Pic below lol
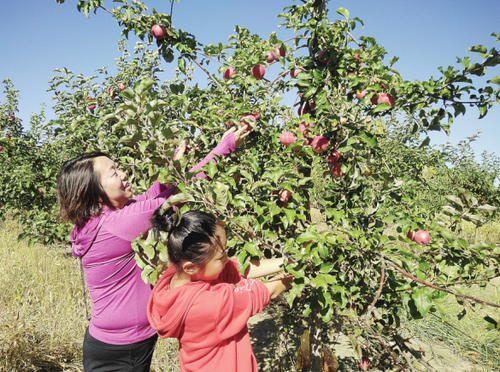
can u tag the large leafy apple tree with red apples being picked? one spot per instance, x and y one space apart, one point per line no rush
347 243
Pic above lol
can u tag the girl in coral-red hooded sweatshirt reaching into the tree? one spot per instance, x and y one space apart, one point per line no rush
196 300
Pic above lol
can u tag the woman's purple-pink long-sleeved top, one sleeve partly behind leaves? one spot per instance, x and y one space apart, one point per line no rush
119 296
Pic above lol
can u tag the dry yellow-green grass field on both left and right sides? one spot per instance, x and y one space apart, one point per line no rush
43 320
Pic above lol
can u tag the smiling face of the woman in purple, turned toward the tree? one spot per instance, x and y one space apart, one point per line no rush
113 181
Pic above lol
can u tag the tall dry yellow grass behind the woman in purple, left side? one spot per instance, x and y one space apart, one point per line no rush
42 317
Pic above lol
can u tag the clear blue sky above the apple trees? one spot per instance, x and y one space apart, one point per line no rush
37 36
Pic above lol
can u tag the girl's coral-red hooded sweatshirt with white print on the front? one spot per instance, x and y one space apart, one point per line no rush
209 319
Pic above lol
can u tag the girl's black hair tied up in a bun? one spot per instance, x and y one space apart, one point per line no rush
190 239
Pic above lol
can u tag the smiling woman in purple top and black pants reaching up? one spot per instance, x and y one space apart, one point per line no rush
95 195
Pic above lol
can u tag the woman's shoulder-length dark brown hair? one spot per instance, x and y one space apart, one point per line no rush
79 192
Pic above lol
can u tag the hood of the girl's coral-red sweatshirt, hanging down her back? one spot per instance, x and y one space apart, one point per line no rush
167 308
